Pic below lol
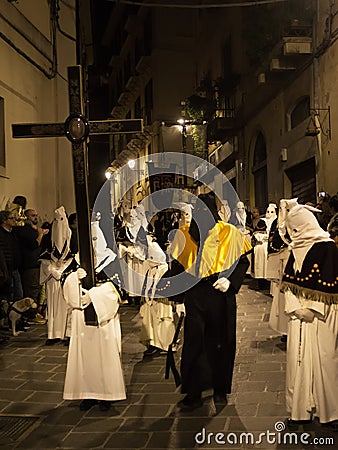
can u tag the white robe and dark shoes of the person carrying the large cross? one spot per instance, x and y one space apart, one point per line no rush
94 371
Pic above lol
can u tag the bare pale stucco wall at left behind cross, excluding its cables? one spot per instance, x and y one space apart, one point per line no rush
40 169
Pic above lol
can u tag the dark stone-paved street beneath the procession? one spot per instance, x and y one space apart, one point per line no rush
34 415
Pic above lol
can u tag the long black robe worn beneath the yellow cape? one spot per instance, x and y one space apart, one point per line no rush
209 347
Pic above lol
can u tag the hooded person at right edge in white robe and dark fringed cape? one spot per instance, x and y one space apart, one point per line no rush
310 283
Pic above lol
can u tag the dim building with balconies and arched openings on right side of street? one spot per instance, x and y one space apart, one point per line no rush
271 74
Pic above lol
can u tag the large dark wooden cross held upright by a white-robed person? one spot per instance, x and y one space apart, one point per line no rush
77 128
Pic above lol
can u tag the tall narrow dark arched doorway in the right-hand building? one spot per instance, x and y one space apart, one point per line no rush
259 172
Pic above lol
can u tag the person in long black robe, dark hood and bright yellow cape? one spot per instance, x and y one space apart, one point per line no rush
213 253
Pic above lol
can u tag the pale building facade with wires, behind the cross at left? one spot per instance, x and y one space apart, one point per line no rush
37 43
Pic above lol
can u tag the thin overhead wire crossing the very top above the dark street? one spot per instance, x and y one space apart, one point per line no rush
199 6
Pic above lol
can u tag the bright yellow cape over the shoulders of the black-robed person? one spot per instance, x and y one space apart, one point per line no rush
222 248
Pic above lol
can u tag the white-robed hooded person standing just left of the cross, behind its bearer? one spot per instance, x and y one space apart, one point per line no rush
51 271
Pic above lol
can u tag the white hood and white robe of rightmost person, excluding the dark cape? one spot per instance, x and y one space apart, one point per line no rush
312 352
